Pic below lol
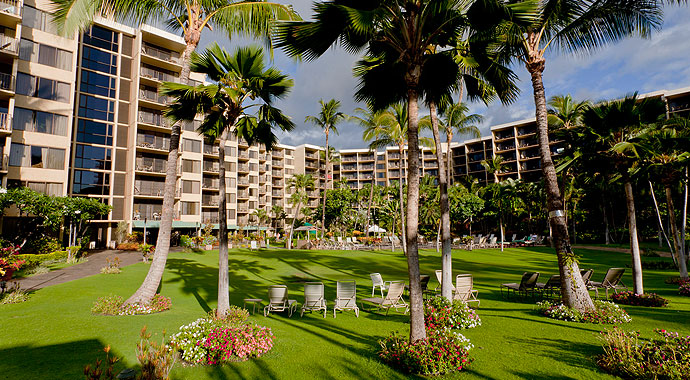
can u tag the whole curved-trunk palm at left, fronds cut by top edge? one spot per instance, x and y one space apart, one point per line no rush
190 17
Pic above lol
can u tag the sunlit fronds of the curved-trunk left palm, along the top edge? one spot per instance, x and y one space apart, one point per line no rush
251 18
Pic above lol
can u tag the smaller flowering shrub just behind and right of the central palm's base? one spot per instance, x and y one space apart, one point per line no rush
440 313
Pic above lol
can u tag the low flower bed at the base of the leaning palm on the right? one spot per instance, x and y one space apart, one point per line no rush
604 313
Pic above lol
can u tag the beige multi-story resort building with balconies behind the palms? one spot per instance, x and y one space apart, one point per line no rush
83 117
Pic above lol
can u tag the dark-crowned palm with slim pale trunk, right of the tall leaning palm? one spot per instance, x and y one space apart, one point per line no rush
608 129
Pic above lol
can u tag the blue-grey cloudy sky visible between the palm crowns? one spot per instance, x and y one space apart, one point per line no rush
635 64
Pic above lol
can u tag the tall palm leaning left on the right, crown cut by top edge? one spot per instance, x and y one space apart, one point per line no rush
574 26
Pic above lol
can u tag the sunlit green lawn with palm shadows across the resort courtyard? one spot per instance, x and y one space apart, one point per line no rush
54 335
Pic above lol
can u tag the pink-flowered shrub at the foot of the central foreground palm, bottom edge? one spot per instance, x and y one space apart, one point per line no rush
441 352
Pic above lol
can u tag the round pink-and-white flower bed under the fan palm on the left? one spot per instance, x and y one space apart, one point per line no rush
213 341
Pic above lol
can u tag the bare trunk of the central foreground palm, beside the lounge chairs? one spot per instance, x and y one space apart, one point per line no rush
417 328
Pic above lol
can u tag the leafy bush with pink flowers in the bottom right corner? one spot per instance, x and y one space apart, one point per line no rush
628 356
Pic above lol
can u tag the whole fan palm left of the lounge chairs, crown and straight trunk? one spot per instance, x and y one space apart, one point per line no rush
240 82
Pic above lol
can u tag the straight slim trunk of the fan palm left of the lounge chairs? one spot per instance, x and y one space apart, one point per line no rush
223 280
